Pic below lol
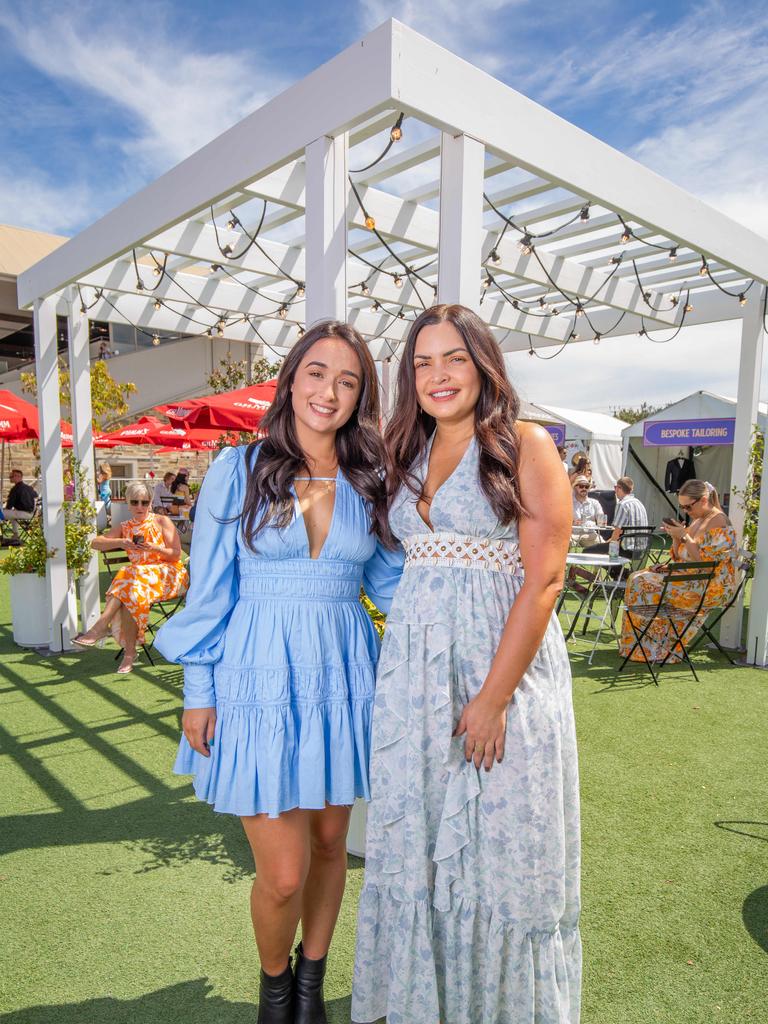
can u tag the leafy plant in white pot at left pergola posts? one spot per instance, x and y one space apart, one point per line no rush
26 567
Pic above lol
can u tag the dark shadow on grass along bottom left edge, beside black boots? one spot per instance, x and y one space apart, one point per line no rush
189 1002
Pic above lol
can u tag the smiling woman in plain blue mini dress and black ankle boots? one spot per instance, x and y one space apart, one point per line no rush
280 655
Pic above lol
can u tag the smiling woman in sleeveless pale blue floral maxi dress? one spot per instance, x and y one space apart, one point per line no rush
471 905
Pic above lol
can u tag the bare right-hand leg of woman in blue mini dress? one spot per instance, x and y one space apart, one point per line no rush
324 889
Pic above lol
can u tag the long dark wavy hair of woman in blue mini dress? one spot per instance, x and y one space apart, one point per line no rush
273 463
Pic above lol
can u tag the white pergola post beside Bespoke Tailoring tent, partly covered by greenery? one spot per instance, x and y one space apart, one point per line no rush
750 371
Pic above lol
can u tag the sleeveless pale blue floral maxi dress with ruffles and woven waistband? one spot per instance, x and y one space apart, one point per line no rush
471 904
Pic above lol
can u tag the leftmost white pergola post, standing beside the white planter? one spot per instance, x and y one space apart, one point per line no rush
47 368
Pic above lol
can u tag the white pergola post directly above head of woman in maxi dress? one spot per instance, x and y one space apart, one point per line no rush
462 175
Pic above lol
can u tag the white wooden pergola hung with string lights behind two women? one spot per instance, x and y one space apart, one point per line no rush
488 199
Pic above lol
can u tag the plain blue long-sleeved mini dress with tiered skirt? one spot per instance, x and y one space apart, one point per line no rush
281 646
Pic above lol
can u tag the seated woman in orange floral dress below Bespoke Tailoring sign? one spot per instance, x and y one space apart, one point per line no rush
710 538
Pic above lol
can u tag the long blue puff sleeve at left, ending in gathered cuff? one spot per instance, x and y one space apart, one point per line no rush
195 636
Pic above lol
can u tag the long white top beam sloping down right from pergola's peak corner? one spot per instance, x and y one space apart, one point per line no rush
441 89
